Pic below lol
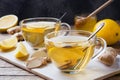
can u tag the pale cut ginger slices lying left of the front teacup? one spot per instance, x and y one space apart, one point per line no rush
38 59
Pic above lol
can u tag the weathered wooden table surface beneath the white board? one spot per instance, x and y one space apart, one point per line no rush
11 72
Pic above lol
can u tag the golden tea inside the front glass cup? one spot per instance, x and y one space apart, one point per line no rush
67 51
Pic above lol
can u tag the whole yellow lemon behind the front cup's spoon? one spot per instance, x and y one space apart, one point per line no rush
110 31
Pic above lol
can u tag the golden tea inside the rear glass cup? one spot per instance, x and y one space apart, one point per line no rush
34 32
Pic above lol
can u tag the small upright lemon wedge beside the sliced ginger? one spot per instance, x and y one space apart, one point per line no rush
21 52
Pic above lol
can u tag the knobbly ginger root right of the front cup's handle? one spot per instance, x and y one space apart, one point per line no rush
108 57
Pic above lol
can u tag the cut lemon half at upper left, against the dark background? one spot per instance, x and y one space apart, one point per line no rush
8 21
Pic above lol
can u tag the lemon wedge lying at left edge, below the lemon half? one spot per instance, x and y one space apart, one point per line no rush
8 43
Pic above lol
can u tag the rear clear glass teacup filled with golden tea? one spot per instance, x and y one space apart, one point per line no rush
34 29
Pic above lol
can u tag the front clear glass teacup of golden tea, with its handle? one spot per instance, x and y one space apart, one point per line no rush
70 50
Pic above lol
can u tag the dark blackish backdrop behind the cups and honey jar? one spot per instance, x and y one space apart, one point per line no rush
56 8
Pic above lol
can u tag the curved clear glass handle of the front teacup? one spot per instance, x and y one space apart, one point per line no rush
102 43
